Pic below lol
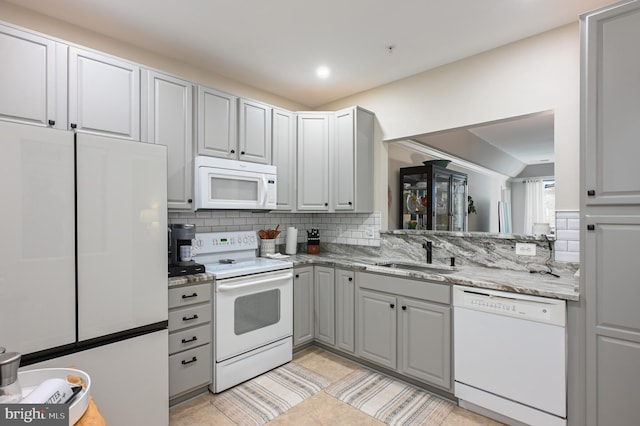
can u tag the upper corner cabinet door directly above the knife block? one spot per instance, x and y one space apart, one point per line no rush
313 162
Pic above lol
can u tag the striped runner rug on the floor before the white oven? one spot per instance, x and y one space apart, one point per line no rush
265 397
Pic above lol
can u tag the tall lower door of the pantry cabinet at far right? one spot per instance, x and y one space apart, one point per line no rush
613 323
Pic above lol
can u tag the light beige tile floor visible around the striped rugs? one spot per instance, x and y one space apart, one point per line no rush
320 409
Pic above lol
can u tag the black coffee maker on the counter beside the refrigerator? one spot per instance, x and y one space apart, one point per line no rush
181 238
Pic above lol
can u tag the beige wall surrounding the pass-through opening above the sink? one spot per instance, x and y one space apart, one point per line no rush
536 74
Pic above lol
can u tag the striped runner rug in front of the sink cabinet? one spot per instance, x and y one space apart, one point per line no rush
389 400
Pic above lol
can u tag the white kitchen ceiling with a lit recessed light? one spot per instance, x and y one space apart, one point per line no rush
275 45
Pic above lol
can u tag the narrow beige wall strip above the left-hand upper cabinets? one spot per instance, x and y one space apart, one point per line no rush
69 33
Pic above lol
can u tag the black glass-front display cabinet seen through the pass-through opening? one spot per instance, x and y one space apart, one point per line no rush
433 198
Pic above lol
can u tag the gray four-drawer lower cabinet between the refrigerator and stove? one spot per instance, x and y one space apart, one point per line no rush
189 339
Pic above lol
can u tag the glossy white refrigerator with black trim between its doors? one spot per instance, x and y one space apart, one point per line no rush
83 273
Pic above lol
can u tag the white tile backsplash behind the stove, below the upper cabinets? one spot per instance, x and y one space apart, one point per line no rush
361 229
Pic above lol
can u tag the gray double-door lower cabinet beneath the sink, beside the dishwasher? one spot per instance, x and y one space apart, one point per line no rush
405 325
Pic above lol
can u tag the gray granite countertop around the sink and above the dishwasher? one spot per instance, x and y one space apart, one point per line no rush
565 287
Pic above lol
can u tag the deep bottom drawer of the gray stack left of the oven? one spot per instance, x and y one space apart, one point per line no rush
190 369
